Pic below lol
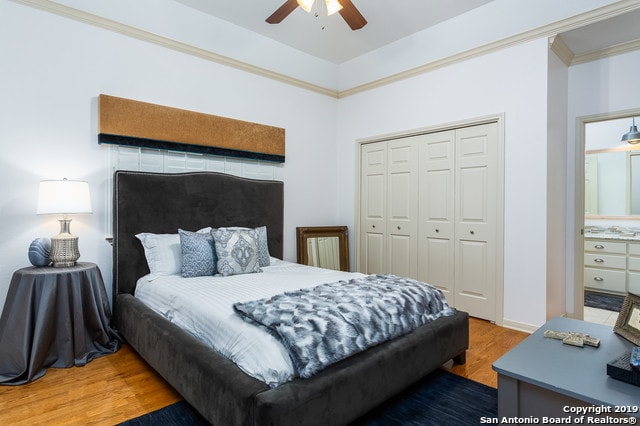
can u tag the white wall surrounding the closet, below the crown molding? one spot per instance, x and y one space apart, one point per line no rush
512 81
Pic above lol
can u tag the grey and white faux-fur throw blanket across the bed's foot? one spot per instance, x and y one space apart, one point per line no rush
324 324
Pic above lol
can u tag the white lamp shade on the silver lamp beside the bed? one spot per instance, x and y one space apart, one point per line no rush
64 197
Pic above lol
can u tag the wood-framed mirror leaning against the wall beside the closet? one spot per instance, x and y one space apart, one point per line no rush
323 246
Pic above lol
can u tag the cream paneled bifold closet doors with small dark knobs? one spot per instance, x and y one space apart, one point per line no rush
430 209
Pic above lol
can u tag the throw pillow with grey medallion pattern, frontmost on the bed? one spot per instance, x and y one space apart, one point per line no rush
237 251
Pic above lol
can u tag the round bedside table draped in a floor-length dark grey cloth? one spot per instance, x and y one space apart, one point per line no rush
54 317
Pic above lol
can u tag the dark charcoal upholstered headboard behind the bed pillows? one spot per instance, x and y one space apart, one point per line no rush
164 202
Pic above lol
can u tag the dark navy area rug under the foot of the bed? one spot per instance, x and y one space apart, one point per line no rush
441 398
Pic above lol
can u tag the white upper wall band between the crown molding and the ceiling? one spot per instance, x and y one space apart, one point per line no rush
490 23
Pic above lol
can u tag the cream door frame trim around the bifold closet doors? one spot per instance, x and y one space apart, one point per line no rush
499 119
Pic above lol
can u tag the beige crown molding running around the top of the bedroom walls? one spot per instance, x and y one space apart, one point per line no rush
550 31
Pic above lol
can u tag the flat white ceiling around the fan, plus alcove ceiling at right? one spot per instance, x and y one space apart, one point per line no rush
329 37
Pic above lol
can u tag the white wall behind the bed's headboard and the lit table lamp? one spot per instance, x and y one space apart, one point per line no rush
53 69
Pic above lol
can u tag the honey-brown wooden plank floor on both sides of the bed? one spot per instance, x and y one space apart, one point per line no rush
121 386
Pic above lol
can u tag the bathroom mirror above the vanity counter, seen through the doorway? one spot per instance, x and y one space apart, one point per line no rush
612 172
